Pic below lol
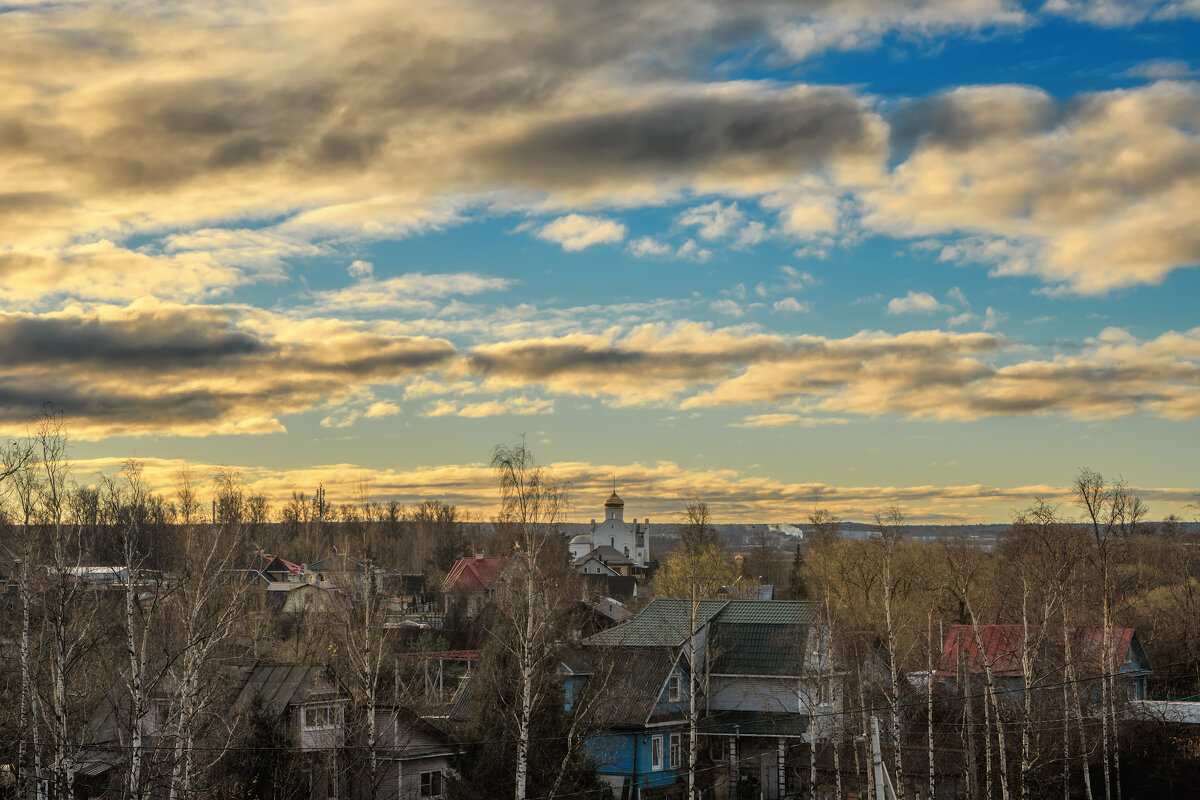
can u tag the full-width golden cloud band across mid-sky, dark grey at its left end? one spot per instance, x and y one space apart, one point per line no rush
155 368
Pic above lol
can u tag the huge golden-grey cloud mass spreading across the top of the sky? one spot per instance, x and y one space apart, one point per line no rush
369 121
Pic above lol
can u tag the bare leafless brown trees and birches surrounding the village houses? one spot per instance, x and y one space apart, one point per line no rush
181 621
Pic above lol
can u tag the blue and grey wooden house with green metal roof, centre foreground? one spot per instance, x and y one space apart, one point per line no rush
759 681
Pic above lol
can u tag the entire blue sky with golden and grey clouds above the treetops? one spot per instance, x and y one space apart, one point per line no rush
776 256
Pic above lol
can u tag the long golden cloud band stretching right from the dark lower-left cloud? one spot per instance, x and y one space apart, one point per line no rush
933 375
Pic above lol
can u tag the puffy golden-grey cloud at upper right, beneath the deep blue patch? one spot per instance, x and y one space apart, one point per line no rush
1102 194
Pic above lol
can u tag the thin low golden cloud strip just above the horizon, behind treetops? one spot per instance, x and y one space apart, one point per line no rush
656 490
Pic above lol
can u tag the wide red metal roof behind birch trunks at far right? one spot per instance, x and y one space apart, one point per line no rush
1001 646
